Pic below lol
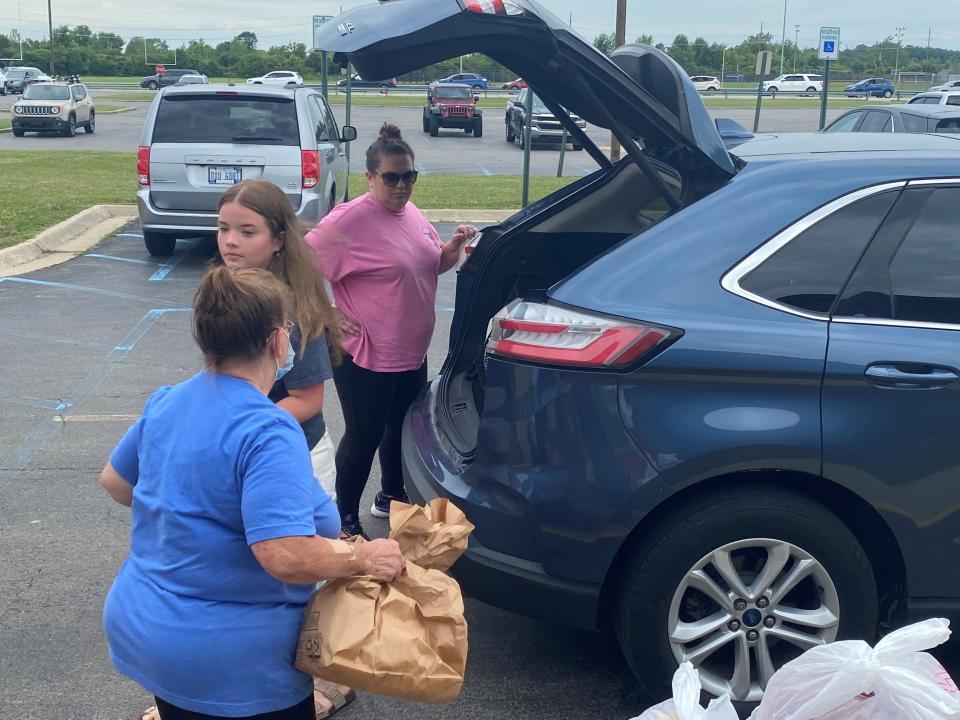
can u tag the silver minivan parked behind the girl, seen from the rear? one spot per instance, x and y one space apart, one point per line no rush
198 140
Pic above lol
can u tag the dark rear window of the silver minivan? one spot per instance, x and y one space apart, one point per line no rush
226 119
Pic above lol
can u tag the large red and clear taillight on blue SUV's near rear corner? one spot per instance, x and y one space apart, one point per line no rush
558 336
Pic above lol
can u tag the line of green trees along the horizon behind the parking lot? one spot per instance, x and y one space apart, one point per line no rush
80 50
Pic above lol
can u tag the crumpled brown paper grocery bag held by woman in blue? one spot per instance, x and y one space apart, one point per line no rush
407 638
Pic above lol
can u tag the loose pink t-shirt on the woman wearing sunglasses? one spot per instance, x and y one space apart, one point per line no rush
383 269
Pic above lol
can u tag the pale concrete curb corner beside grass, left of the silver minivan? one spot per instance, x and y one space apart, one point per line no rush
66 239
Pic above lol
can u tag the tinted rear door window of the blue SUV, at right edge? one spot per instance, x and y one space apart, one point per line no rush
925 272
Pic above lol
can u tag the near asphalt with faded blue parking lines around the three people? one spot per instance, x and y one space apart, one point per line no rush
86 343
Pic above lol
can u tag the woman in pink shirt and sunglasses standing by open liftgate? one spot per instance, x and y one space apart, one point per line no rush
382 258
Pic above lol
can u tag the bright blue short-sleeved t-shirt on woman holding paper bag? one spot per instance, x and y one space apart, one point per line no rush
192 616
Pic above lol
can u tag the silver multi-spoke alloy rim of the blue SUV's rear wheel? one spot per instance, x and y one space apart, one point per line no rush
747 608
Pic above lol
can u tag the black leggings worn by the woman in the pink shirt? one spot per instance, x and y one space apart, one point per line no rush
374 405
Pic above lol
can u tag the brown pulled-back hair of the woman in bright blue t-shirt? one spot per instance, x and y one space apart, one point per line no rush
234 313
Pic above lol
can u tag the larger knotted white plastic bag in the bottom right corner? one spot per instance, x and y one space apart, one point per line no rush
849 680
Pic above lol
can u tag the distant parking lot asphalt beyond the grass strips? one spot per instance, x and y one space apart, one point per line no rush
453 152
